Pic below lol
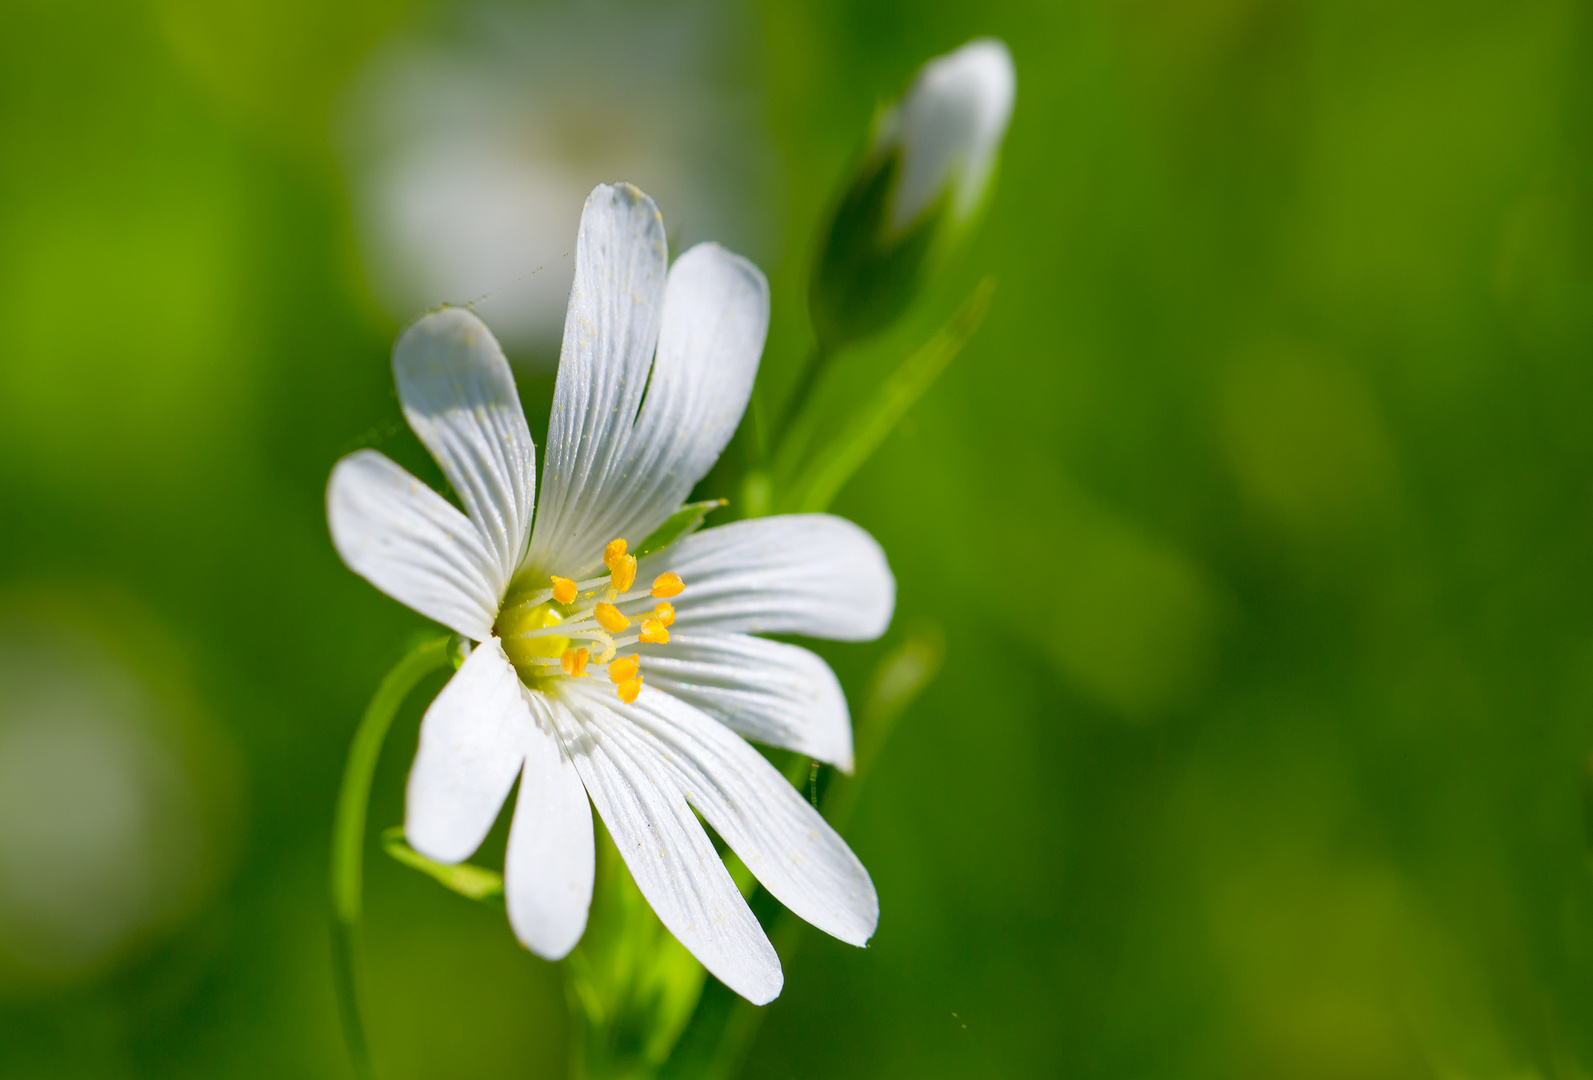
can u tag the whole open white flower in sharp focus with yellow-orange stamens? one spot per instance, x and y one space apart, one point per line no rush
598 675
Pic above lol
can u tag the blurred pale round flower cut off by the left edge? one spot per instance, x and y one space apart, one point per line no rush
106 831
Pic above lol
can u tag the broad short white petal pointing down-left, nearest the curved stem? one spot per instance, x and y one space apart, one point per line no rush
472 746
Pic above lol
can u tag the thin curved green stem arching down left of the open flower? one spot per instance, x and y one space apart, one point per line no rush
348 837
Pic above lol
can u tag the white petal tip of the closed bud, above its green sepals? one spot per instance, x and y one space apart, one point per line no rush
949 128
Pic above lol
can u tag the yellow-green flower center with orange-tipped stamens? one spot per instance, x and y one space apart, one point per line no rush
566 630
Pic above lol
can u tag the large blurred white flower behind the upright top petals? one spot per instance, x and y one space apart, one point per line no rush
471 157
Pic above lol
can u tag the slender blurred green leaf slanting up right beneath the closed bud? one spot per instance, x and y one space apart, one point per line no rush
828 472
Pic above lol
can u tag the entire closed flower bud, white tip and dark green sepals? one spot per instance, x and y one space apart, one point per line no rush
920 187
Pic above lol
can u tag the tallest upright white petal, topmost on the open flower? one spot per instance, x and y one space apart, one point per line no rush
609 337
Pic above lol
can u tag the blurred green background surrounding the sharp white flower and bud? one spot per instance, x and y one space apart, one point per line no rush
1258 518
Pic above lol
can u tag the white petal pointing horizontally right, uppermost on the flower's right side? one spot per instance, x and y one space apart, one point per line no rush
794 574
